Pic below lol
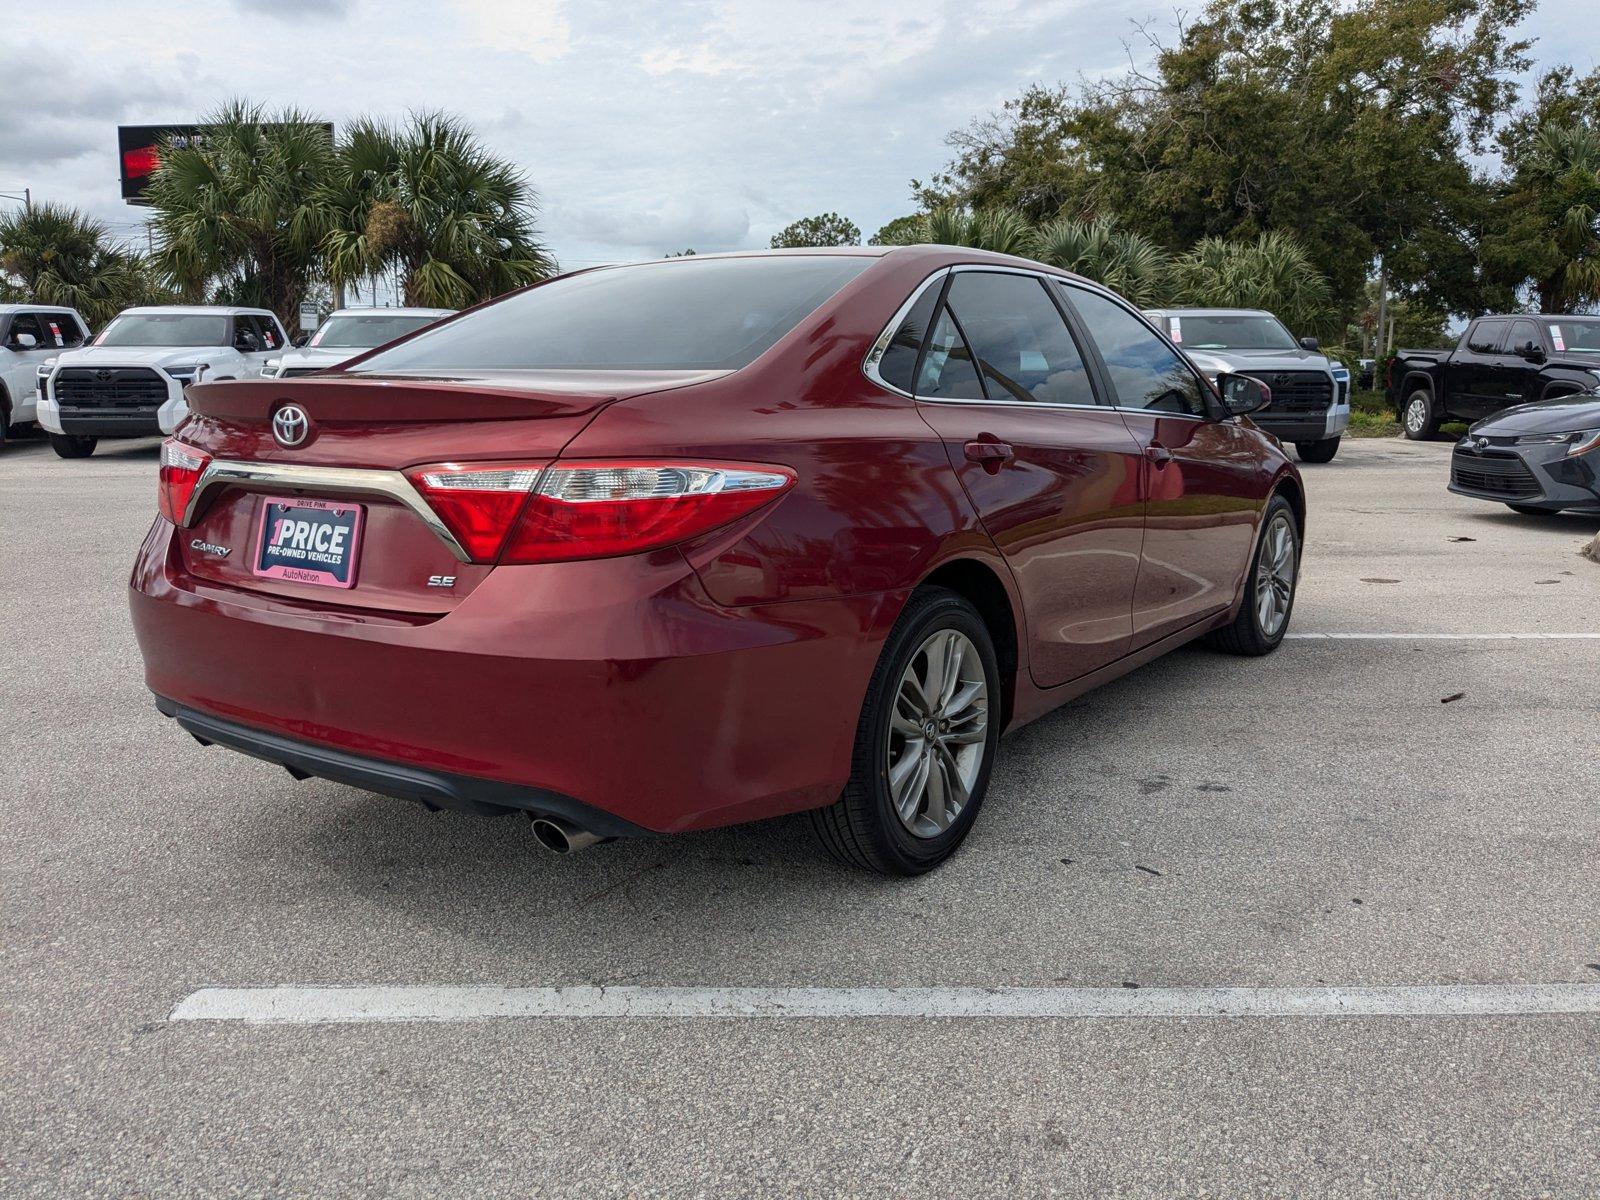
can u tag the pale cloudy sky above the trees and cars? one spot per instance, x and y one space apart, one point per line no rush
646 127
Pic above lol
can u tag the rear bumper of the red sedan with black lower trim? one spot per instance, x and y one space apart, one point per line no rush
615 684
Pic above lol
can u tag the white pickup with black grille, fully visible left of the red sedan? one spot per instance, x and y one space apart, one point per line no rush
130 380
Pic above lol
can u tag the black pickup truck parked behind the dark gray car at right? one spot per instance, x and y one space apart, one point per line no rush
1498 364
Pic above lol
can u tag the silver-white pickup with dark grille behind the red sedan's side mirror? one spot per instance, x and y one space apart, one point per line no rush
1311 393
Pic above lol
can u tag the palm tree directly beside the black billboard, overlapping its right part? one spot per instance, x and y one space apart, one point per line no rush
236 210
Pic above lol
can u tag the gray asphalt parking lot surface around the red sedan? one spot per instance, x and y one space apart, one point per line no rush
1313 820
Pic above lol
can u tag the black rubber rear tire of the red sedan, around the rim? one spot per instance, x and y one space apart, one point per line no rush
863 828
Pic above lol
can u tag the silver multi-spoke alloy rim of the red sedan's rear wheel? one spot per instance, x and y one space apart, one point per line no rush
938 734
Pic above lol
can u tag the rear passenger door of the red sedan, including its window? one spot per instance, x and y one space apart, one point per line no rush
1054 474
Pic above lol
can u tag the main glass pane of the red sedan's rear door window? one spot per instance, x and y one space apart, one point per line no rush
1020 340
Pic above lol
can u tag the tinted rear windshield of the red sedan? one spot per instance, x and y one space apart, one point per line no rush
716 314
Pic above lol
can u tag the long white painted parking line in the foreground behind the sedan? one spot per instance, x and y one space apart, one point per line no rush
362 1006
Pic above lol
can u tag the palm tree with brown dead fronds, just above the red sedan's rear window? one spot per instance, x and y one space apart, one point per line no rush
434 206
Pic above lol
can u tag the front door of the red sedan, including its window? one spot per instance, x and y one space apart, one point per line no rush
1204 474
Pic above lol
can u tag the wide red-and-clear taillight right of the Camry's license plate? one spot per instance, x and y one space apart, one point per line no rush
522 513
